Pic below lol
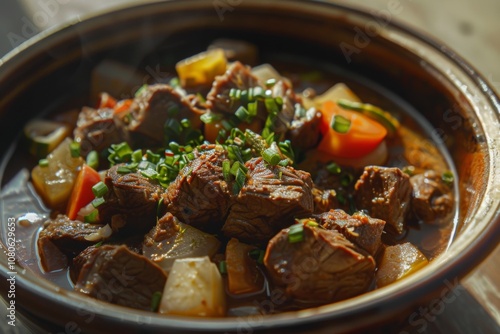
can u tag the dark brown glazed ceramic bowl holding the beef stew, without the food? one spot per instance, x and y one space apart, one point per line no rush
381 57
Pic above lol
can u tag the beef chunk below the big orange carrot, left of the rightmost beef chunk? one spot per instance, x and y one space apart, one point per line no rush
385 192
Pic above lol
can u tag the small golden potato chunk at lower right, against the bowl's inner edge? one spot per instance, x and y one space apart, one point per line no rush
399 261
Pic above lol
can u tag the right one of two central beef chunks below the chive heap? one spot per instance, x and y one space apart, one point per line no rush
270 198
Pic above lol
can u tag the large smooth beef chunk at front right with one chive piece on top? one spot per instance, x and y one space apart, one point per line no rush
321 268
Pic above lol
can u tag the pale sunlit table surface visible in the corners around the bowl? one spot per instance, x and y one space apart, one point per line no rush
469 27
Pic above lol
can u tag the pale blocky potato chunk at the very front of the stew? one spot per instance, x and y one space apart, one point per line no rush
194 288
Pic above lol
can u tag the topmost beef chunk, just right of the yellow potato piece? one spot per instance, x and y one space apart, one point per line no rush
237 76
